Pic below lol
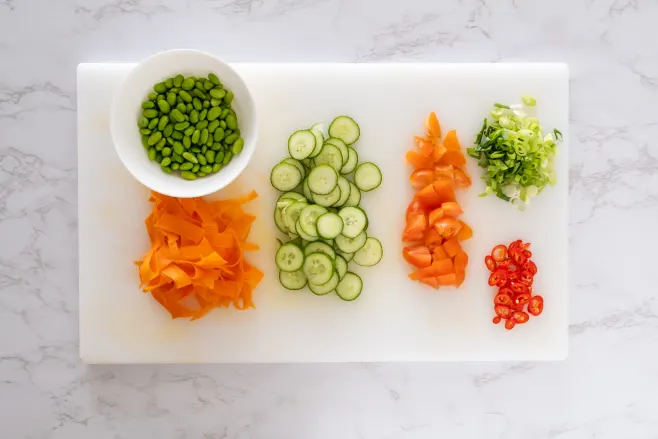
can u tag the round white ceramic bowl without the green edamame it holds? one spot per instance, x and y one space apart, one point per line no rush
126 110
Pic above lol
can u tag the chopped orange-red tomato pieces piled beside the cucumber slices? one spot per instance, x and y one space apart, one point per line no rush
432 225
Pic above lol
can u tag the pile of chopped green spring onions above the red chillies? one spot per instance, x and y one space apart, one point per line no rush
514 152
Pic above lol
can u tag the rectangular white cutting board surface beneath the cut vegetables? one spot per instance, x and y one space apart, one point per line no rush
394 319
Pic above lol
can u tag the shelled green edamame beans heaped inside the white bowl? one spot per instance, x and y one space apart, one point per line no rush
188 125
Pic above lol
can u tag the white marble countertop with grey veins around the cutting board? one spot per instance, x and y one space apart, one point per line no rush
607 387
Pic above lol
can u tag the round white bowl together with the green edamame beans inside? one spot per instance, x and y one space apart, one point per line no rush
184 123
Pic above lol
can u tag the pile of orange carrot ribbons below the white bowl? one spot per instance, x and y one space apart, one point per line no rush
196 261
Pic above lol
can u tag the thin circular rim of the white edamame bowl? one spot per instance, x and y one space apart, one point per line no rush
245 97
